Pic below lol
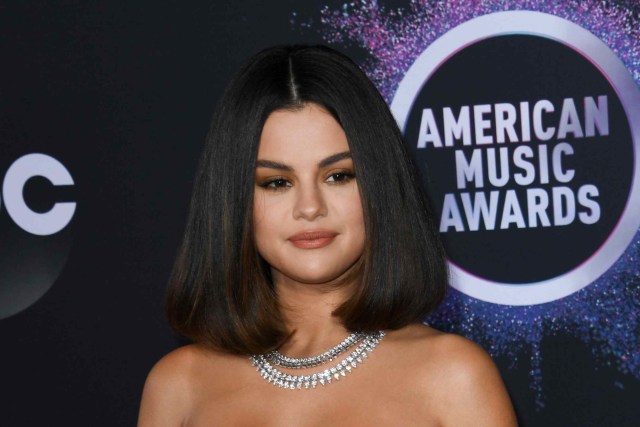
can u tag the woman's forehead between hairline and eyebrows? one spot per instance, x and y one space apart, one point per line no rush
296 136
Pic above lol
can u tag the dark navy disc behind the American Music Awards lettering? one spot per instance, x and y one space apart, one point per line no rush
512 69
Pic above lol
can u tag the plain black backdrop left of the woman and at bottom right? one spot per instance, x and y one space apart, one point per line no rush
122 93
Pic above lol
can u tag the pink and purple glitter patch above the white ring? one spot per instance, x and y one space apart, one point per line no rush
394 38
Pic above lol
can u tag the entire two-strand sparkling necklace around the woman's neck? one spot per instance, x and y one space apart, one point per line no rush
266 363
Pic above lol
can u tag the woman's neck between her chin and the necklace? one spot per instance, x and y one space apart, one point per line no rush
307 312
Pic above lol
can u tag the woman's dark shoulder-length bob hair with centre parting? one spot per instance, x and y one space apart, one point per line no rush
220 291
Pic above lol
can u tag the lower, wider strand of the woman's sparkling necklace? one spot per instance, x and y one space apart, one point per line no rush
280 379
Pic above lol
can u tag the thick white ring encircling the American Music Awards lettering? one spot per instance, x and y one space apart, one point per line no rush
596 51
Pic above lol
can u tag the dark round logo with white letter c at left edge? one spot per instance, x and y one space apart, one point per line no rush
30 260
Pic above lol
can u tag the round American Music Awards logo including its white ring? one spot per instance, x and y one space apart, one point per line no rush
526 129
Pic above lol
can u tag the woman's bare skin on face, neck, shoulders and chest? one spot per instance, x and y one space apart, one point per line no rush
416 375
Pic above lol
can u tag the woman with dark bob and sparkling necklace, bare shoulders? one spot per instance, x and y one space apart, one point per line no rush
308 229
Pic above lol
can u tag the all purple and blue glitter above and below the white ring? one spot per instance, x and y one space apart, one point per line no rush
603 315
